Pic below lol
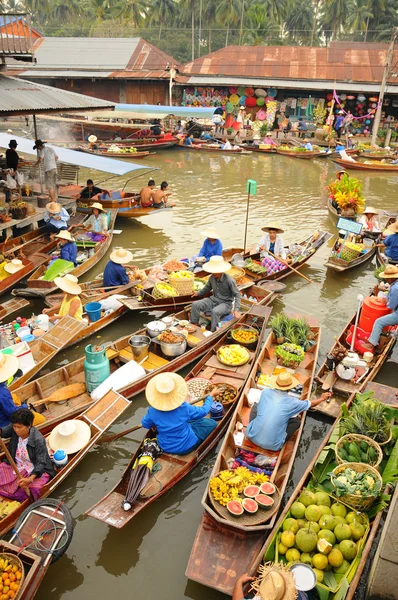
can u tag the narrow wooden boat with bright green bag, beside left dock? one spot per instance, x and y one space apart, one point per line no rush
35 286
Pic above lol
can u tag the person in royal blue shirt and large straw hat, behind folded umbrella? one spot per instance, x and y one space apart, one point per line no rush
180 426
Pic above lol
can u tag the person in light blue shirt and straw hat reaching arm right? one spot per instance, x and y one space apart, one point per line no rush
273 420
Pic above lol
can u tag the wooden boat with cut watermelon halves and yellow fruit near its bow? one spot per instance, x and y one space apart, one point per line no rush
225 544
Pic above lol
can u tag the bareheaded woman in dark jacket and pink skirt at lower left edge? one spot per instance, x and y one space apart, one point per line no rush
28 449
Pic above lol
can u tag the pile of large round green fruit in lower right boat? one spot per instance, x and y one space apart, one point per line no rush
321 534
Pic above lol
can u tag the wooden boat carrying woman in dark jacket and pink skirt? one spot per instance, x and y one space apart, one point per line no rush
100 416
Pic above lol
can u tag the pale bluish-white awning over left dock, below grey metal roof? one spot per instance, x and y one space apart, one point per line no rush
73 157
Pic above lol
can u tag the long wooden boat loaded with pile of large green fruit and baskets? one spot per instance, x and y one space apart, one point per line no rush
325 454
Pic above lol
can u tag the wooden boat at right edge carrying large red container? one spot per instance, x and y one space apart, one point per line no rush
342 388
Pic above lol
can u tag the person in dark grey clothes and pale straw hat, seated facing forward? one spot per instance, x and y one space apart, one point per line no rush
225 293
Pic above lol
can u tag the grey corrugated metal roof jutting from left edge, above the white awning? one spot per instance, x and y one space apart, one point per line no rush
19 96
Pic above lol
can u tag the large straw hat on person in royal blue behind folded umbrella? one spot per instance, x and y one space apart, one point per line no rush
166 391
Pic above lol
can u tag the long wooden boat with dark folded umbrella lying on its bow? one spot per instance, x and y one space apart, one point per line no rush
173 468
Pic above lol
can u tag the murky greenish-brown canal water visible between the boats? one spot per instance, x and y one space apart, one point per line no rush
149 556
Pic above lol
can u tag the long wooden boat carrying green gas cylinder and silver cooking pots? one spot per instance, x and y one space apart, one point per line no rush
119 353
